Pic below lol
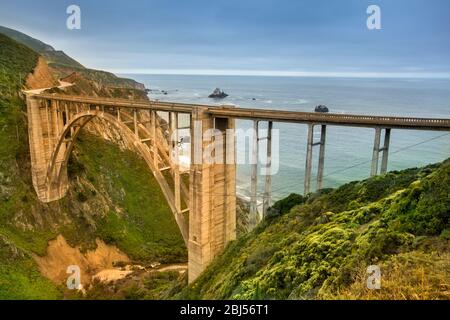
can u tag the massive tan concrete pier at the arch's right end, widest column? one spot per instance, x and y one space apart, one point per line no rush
212 220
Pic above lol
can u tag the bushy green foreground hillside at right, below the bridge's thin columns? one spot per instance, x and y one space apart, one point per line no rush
320 248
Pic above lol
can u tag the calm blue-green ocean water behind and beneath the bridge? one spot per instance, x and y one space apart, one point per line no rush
348 150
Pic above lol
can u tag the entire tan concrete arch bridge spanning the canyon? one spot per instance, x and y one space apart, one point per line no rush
201 194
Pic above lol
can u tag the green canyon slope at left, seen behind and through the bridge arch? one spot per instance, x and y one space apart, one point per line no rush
113 198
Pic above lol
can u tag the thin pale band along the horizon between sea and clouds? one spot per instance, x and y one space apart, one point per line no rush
280 73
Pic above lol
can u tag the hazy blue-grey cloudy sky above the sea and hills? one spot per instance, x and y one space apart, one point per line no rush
327 37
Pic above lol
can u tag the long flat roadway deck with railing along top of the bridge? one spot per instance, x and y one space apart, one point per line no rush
439 124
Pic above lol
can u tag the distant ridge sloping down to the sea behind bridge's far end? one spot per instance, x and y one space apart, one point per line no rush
63 65
